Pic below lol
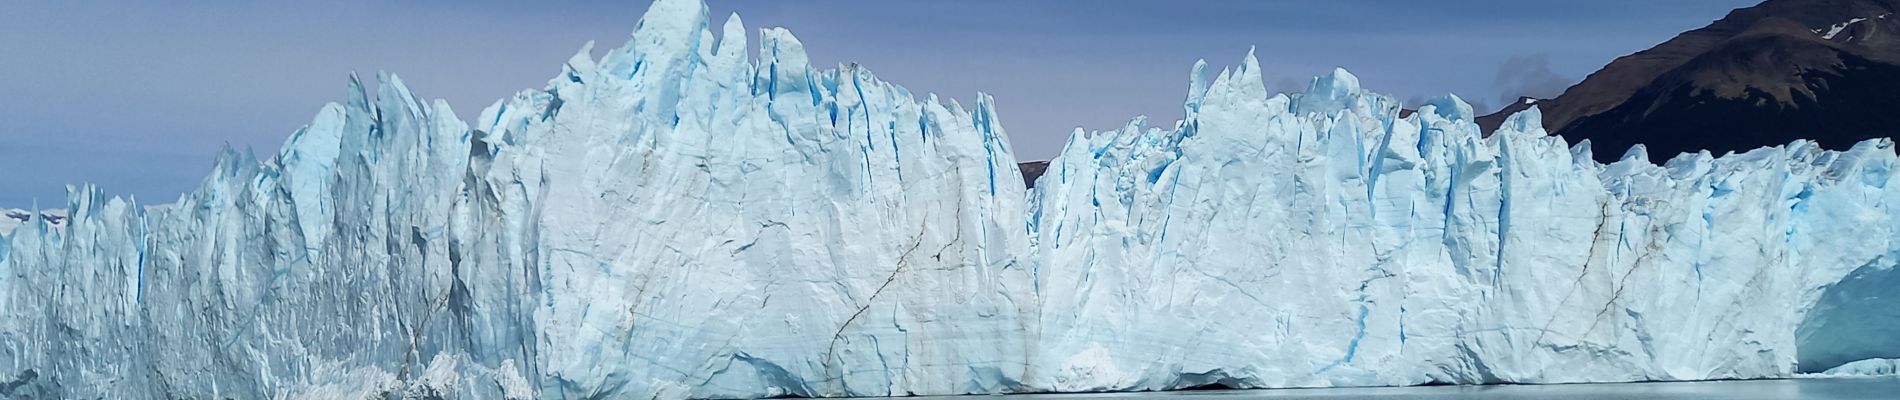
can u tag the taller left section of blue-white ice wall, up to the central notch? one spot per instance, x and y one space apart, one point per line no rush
670 221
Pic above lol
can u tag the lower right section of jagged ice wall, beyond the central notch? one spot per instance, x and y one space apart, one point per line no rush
1320 240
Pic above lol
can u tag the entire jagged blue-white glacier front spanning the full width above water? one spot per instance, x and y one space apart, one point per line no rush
683 221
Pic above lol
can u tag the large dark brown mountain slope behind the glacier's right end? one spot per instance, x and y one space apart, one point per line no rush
1762 77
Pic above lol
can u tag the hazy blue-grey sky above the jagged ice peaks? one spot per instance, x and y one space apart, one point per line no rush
138 98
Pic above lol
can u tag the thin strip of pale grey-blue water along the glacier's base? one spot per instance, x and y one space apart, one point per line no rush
1783 390
